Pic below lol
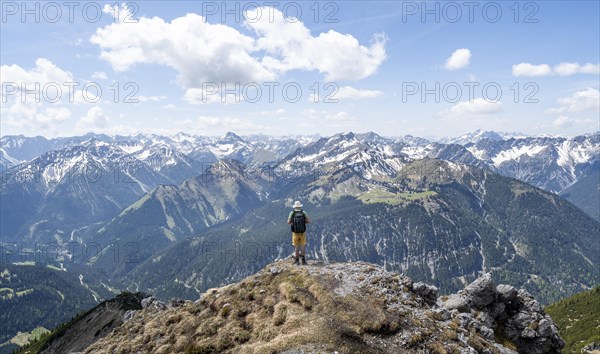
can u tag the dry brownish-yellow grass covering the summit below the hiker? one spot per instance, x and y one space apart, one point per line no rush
269 313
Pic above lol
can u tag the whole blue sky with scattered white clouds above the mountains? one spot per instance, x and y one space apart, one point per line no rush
428 69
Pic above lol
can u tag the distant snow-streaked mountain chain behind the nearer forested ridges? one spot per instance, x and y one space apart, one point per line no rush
90 178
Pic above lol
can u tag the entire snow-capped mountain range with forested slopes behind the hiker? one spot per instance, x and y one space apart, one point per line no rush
177 215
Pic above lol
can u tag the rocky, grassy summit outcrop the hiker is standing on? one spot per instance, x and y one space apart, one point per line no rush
344 307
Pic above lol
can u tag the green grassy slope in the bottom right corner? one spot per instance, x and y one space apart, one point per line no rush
578 319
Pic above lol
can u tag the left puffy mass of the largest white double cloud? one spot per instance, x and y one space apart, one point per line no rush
199 51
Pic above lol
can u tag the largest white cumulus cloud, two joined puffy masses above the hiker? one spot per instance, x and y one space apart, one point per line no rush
204 52
